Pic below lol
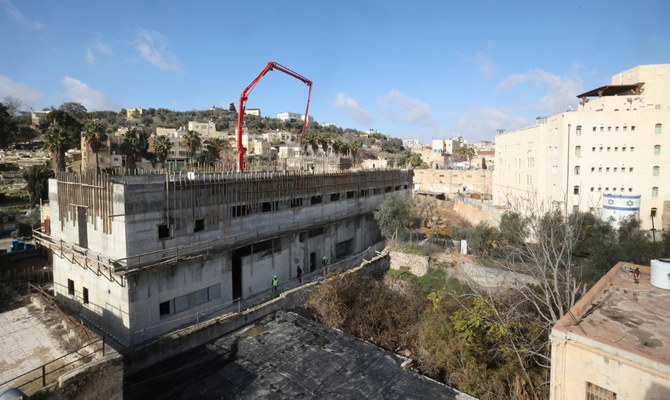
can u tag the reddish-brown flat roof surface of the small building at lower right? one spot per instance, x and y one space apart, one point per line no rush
634 317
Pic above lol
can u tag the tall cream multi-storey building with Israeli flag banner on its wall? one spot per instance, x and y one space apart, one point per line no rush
614 143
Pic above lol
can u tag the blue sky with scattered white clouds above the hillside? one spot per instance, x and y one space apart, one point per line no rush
411 69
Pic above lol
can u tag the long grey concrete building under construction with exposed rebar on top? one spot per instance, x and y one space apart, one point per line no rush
141 254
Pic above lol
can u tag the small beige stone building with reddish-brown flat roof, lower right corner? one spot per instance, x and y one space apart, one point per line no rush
614 343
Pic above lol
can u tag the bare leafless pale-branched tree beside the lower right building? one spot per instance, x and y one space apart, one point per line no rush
536 244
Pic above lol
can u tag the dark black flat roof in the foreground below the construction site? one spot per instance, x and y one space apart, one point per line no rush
285 356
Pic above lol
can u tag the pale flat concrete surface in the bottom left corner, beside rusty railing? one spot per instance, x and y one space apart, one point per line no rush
26 343
